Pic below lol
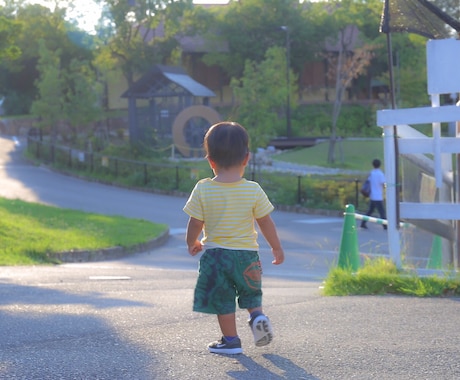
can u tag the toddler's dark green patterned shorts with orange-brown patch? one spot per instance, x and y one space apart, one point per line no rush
226 275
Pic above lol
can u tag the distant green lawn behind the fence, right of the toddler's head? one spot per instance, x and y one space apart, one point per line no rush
352 154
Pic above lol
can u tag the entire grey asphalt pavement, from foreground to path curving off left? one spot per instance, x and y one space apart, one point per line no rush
131 318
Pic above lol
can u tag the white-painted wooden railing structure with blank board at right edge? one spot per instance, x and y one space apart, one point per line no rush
430 188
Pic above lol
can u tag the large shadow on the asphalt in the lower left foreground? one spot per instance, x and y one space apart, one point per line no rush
45 334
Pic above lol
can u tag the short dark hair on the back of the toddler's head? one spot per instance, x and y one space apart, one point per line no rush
227 144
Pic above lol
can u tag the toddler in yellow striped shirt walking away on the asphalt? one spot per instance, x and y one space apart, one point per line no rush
225 209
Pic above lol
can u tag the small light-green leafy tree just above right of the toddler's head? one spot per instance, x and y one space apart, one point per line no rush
260 94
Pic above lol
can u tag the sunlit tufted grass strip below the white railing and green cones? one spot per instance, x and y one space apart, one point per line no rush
380 276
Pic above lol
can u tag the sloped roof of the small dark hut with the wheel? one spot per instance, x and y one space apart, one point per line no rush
166 81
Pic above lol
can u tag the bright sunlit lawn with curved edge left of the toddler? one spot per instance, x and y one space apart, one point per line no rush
30 233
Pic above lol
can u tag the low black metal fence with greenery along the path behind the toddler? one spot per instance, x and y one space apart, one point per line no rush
287 189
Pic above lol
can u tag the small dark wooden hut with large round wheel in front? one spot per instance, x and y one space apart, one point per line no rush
171 104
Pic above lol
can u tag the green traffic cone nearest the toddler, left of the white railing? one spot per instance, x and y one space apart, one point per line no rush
349 251
